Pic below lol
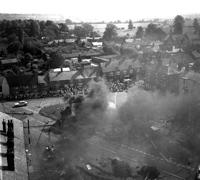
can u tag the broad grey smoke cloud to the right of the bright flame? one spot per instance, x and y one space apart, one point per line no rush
166 124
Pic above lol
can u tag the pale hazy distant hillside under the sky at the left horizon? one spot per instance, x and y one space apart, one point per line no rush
53 17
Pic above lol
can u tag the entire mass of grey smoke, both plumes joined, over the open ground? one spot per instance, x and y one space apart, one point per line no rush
132 122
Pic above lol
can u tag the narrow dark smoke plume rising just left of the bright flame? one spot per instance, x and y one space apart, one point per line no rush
72 145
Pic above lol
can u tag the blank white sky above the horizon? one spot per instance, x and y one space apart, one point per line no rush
107 10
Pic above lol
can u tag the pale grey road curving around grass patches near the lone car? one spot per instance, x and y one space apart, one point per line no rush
38 139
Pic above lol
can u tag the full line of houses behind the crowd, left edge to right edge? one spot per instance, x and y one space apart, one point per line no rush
164 77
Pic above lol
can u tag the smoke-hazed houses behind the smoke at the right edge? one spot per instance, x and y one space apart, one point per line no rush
169 78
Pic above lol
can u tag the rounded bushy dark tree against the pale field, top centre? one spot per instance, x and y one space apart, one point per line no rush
110 32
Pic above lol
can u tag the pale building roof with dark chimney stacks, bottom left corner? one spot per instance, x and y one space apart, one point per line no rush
20 171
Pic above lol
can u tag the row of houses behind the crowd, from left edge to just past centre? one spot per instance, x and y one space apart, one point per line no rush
32 82
